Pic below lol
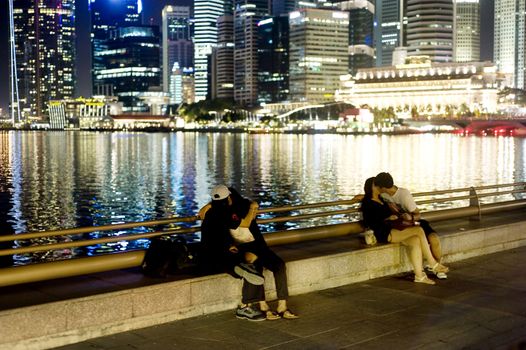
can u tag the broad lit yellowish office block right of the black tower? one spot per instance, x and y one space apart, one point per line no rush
319 41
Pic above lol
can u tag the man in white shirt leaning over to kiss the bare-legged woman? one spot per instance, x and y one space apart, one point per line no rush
402 203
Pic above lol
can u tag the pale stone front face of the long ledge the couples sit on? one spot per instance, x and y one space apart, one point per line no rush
70 321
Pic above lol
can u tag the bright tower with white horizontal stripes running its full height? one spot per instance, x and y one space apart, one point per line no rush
206 13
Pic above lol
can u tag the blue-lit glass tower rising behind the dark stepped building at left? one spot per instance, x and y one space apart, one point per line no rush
107 15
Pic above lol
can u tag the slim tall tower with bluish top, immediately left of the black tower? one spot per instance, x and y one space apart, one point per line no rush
247 14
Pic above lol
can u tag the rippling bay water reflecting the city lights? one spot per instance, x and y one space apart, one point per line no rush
54 180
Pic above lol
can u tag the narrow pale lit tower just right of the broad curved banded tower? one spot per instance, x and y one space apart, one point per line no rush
467 31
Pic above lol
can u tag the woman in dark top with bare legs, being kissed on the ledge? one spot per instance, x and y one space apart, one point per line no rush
378 216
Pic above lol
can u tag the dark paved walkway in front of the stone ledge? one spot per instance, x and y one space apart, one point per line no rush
481 306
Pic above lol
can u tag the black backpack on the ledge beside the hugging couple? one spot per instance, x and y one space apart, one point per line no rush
166 255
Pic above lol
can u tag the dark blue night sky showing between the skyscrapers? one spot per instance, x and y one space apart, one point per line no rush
152 14
